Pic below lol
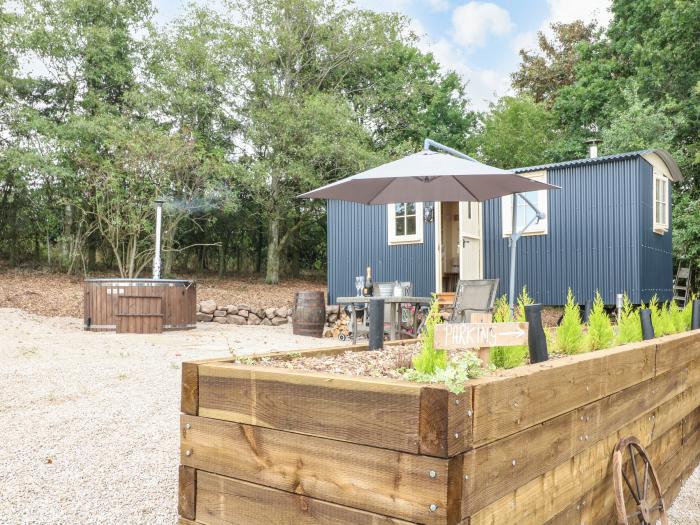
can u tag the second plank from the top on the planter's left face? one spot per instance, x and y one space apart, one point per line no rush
383 481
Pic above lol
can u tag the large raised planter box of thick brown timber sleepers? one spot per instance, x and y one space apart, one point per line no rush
277 446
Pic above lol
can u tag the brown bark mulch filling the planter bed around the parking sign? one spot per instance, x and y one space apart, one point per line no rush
387 363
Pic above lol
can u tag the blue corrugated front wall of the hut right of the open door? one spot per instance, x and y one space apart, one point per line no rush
593 240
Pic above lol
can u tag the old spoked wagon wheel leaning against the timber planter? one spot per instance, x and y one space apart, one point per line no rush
641 483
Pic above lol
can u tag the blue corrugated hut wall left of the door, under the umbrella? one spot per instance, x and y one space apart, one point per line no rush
358 237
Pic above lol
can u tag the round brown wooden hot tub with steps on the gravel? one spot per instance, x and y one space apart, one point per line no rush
141 306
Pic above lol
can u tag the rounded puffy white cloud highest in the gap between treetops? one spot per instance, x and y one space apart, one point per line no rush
473 22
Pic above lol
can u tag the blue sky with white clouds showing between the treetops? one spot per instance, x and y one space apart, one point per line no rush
479 40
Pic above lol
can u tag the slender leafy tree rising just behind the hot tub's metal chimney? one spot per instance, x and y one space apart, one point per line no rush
190 85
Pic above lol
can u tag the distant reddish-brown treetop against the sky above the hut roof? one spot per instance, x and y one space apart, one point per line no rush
543 73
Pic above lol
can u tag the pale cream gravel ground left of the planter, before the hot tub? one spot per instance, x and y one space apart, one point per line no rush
90 420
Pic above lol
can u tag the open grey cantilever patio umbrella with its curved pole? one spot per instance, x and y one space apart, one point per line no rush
446 176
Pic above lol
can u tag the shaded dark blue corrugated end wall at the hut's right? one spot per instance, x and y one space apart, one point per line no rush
656 250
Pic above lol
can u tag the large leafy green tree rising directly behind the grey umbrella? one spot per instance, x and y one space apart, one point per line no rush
313 72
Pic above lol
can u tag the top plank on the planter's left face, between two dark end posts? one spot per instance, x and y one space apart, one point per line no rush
380 413
